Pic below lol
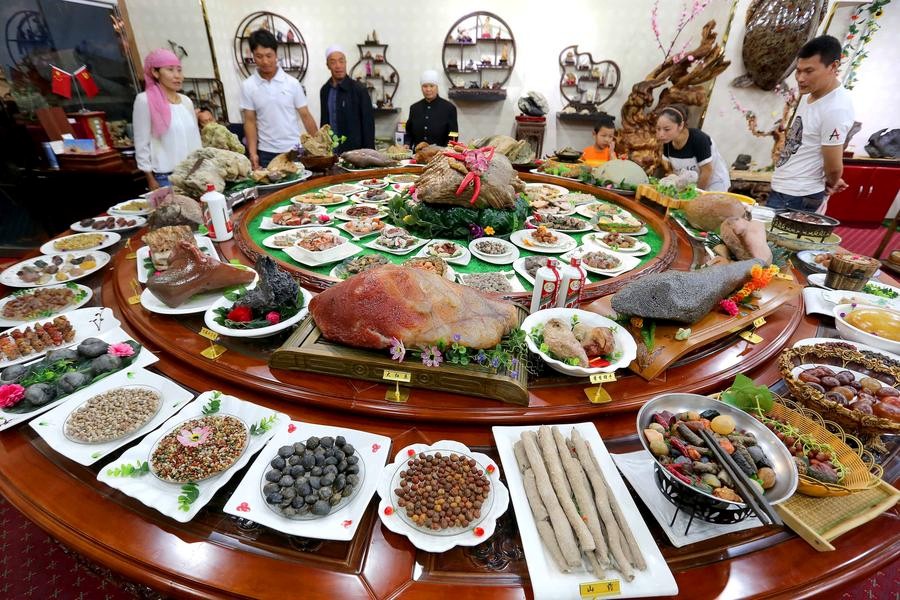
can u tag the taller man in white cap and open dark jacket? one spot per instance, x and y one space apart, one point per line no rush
346 104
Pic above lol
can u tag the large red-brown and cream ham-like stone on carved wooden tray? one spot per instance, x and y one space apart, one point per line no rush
414 306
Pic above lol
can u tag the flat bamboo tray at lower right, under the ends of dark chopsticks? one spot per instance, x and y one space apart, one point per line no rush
821 520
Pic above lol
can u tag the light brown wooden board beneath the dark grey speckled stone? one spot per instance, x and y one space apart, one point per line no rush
714 326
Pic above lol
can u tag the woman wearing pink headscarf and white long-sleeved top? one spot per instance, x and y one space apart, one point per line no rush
165 126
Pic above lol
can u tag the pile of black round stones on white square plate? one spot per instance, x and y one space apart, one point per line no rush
310 479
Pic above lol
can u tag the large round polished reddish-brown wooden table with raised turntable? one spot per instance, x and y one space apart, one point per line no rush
216 555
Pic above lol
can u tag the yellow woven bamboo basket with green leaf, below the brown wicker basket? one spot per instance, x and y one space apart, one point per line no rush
862 472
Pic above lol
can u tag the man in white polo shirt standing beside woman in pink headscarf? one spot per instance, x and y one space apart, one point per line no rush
272 103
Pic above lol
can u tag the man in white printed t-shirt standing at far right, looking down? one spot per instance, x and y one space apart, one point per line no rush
811 162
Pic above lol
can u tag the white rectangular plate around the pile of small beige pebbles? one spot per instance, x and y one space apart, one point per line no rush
51 426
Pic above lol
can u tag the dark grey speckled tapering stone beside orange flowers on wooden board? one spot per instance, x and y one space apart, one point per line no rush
682 296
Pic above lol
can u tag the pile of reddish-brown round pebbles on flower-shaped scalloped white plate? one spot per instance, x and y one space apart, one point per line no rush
442 491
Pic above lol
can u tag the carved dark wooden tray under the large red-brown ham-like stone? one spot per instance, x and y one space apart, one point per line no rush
307 350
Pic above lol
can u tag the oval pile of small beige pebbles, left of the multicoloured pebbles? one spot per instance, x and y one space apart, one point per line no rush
112 415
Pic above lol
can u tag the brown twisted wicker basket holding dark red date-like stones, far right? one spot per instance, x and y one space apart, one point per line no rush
852 421
